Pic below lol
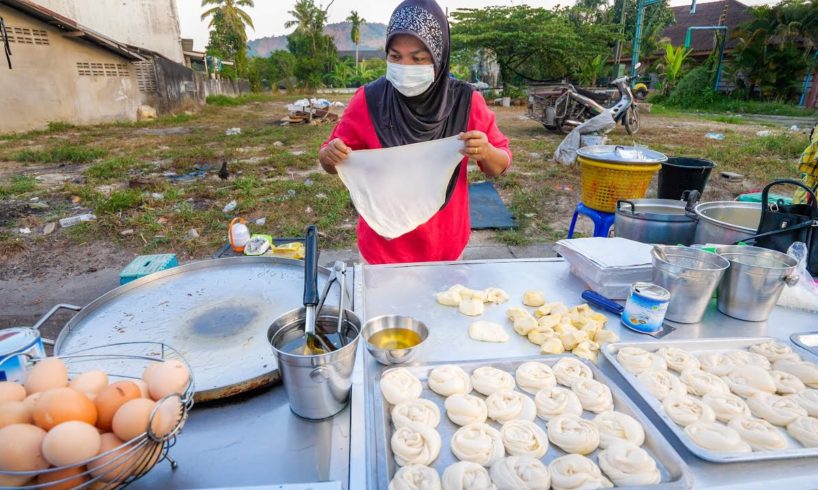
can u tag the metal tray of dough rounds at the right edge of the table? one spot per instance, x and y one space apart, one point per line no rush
695 347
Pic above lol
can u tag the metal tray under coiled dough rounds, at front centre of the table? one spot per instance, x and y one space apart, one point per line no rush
675 474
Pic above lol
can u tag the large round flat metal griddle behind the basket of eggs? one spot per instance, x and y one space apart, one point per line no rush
215 313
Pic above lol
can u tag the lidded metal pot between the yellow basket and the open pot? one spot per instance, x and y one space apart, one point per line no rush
660 221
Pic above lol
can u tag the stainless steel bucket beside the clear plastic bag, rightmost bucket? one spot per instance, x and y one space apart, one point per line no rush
752 285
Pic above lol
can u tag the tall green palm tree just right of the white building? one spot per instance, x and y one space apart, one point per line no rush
228 30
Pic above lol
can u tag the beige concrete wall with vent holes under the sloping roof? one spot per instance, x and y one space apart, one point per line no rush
45 85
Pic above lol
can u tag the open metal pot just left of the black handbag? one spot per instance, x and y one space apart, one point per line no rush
727 222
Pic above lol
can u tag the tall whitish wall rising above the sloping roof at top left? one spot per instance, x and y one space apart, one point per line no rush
151 24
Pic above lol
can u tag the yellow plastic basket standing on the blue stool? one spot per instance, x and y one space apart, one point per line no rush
605 183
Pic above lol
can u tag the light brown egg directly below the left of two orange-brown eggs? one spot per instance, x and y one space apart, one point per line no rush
70 443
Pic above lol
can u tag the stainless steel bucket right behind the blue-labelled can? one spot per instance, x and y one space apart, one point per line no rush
691 276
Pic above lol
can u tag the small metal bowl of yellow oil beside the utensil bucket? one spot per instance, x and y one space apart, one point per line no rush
394 339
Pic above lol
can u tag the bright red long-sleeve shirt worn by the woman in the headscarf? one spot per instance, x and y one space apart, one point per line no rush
446 234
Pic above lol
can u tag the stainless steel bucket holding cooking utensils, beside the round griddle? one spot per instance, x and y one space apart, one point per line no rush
317 386
